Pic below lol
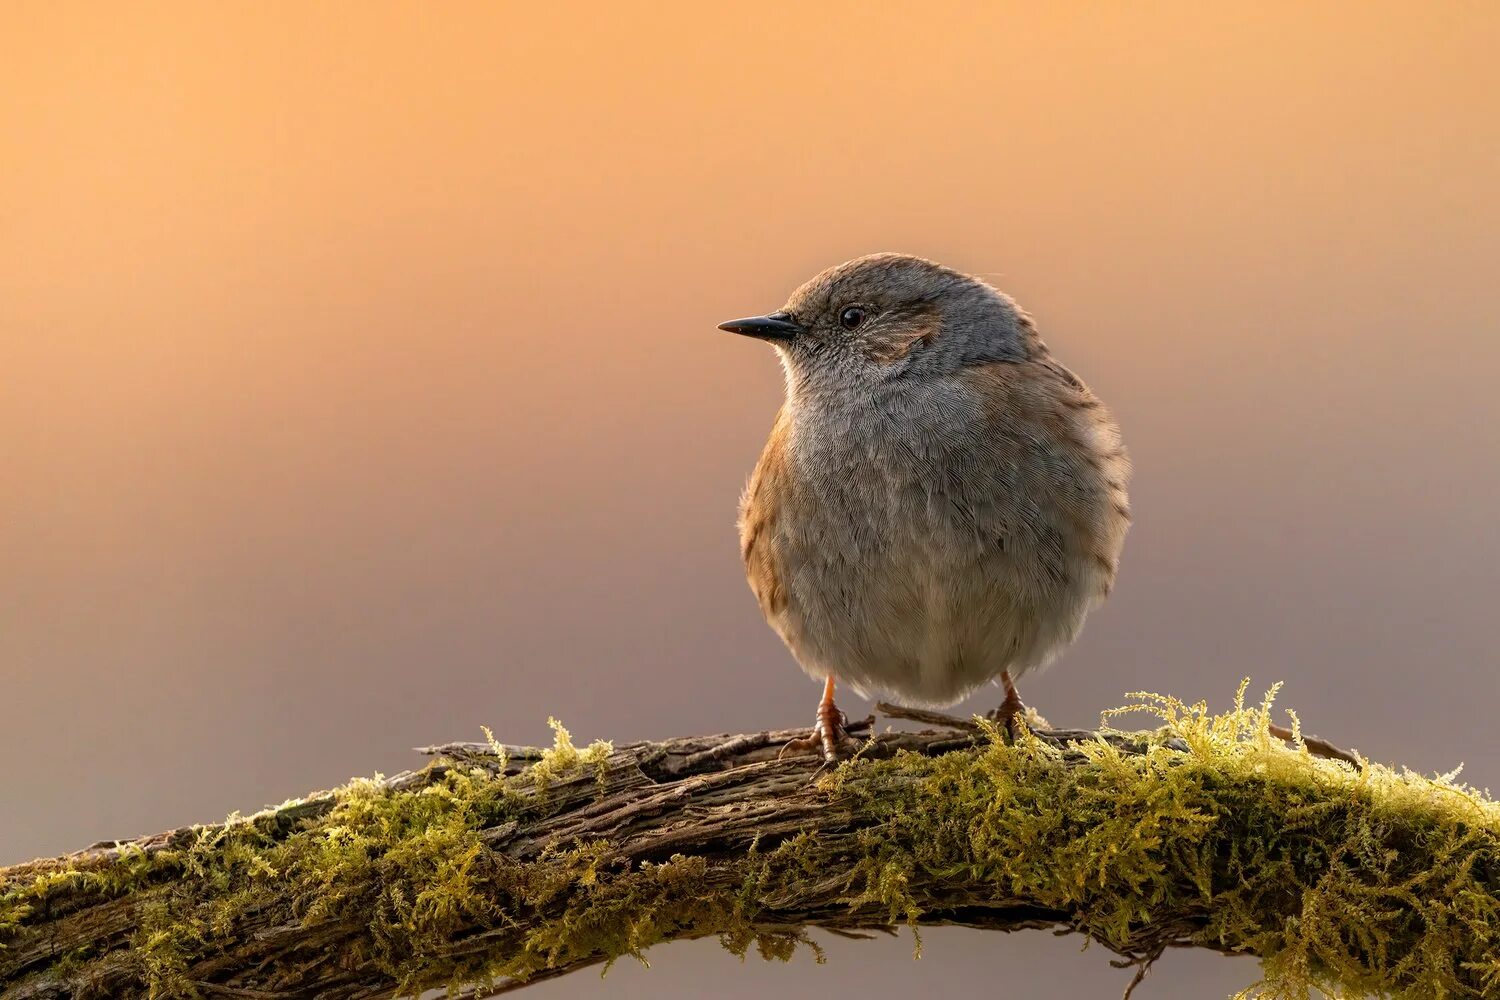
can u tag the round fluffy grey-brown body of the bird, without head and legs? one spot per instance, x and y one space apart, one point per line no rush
922 542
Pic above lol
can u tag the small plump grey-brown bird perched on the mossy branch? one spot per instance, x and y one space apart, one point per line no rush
941 501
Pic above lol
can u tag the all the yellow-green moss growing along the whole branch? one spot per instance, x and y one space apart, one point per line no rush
1348 881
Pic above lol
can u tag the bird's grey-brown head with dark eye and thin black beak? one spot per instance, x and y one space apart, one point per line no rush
890 317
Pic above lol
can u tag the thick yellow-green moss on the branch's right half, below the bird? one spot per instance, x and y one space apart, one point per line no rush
1235 830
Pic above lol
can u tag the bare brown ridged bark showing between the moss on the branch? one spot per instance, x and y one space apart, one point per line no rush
704 797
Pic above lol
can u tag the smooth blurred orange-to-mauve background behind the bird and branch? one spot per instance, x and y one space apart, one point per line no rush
359 382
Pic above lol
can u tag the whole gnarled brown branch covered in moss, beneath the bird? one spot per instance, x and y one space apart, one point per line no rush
497 866
